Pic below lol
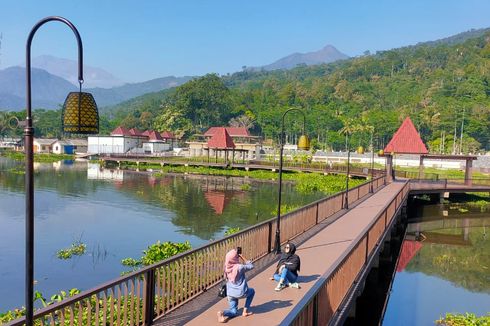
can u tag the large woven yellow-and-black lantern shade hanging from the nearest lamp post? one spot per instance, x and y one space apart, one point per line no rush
80 114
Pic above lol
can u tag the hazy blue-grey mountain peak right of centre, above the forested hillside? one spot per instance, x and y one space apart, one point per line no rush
326 55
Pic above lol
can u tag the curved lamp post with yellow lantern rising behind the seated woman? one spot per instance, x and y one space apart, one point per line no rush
303 144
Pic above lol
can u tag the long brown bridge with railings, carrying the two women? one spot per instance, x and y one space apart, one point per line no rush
337 247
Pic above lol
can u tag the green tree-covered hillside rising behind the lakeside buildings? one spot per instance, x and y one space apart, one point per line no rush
437 84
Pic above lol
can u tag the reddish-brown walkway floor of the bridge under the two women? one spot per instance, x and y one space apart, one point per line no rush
318 254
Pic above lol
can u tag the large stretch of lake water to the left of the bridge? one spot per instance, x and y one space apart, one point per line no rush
116 214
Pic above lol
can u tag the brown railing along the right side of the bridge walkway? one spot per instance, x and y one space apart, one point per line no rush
322 302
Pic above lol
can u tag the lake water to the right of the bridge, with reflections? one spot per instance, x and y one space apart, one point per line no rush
444 266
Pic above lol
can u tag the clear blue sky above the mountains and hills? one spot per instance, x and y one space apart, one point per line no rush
140 40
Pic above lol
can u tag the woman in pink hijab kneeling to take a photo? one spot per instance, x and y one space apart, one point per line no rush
236 285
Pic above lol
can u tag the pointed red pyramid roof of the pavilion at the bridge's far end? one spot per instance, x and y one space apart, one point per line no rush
406 140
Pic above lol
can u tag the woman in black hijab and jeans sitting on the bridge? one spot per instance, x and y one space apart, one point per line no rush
287 268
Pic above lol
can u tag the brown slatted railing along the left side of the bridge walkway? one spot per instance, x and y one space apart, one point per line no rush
153 291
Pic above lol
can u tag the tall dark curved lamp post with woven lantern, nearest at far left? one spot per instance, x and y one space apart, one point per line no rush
80 116
